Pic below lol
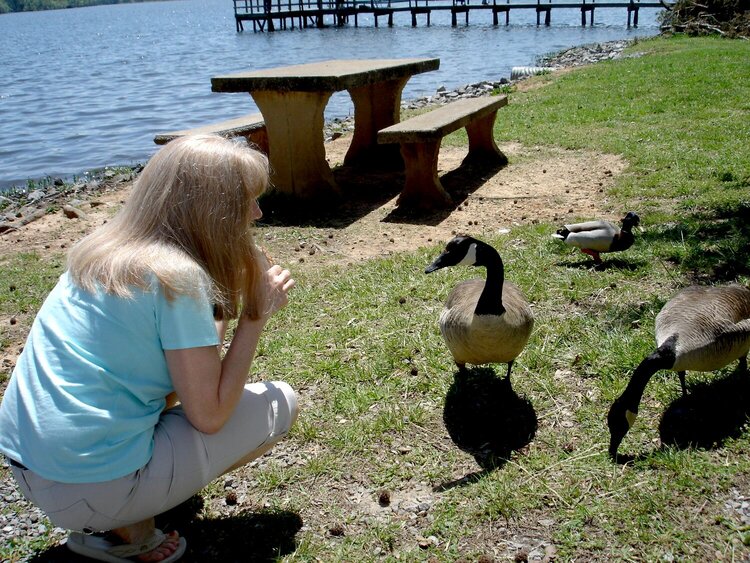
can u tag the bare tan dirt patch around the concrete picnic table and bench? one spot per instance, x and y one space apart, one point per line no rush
539 185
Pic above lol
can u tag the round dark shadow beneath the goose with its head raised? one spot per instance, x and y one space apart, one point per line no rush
486 418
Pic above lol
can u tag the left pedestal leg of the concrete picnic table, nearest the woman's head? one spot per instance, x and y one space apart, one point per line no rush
296 152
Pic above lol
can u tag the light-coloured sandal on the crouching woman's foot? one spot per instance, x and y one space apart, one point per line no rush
100 548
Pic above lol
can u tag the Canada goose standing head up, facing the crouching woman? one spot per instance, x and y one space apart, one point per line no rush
482 321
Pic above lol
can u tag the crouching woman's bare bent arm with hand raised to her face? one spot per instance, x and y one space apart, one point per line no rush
210 387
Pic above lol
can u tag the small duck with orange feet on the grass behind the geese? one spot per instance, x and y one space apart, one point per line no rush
595 237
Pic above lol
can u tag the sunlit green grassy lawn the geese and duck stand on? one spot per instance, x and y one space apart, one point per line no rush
361 344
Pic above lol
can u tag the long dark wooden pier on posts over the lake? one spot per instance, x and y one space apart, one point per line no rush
271 15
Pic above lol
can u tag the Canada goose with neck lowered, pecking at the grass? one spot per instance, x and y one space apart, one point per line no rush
701 329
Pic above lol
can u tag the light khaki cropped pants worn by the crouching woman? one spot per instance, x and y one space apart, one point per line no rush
183 462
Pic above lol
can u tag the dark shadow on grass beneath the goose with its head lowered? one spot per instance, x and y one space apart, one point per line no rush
705 418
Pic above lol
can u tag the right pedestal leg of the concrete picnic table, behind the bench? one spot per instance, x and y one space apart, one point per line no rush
376 106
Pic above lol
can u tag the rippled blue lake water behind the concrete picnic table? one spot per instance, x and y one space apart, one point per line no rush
86 88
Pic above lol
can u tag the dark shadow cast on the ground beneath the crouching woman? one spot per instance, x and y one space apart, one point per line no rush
246 535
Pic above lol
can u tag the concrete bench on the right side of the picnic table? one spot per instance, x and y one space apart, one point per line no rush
420 139
